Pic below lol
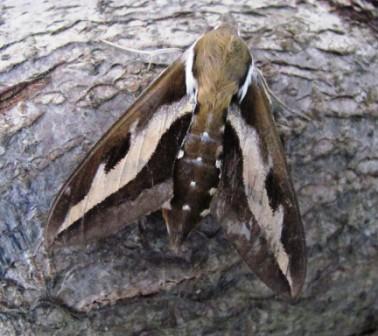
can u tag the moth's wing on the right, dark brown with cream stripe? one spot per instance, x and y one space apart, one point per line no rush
256 201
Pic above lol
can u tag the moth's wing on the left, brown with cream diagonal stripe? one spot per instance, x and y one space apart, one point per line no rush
128 173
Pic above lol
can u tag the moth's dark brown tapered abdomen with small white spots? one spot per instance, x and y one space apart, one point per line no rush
196 176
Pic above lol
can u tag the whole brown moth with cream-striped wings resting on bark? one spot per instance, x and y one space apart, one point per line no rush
199 140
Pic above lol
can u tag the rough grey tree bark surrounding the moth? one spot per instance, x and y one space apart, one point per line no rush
61 88
